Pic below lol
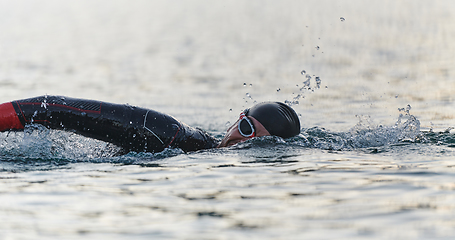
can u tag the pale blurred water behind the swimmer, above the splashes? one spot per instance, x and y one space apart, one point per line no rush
205 61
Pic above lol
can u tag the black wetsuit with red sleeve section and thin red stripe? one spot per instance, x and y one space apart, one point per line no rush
131 128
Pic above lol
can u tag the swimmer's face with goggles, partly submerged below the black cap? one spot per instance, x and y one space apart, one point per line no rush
233 135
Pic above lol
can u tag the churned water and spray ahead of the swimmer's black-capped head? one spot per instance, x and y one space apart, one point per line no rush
365 135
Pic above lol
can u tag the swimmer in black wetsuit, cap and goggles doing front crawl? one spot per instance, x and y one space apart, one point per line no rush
143 130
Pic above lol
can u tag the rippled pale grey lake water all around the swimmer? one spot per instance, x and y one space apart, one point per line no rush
372 81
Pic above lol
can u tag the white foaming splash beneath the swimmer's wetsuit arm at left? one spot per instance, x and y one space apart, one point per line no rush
39 148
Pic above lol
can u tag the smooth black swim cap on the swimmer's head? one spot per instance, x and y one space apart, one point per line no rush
278 118
